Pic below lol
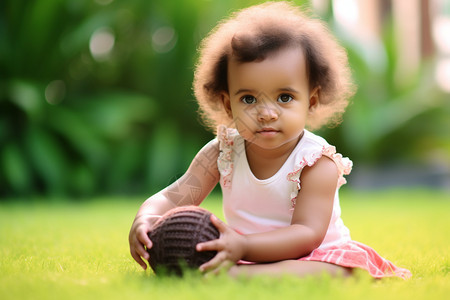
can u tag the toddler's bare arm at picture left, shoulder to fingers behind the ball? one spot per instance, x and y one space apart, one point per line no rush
198 181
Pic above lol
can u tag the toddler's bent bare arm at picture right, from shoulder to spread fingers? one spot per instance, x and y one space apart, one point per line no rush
308 227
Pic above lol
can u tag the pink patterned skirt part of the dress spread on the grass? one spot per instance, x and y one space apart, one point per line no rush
353 254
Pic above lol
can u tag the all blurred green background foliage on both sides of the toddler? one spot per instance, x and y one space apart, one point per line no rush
75 123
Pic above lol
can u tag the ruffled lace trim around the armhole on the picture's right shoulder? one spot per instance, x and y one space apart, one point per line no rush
344 165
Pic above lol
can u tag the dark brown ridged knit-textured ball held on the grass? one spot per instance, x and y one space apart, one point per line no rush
175 236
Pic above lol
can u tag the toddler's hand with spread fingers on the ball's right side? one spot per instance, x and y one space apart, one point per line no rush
230 248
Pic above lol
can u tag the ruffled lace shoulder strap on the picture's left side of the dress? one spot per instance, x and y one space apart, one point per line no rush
226 137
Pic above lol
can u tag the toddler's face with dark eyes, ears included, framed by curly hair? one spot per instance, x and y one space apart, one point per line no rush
269 100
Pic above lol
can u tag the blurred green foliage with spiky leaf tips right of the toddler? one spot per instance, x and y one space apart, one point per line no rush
395 117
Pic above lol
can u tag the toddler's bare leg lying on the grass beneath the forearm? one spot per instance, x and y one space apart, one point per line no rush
290 267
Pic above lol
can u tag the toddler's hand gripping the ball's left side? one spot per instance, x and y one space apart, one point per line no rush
139 240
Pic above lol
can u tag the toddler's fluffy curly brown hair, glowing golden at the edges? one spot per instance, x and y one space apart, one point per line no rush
252 34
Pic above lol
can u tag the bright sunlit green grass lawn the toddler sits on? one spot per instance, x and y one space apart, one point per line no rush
80 251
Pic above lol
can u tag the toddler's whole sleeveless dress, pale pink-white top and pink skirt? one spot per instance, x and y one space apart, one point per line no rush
252 205
